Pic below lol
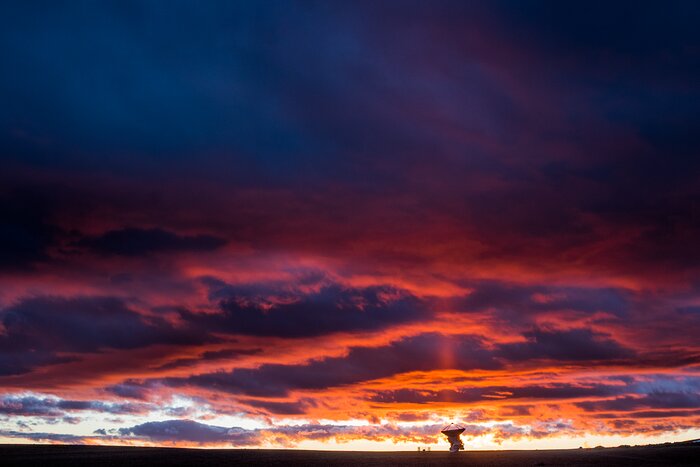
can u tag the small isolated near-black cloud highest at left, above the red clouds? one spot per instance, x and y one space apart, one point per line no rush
139 242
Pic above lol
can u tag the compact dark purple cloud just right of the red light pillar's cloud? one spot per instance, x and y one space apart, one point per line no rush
575 345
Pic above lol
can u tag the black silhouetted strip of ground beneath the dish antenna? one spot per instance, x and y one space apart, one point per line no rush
55 455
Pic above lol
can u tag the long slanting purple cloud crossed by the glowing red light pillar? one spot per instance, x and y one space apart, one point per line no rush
425 352
